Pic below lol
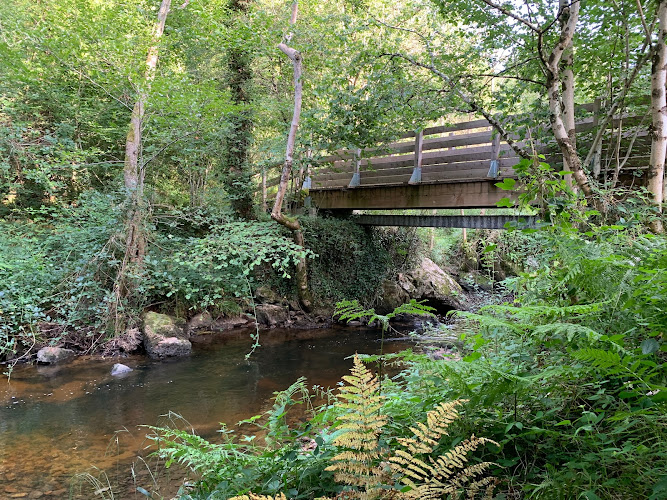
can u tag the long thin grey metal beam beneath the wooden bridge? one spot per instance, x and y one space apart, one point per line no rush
463 221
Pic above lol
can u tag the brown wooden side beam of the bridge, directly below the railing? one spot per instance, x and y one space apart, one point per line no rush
466 194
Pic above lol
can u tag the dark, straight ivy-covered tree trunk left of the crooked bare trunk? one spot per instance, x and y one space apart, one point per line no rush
237 170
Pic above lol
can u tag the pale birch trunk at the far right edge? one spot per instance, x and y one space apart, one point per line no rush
658 129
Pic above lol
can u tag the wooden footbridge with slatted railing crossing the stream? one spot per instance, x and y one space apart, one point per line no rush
458 165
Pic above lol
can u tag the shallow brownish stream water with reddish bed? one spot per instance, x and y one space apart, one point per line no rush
57 421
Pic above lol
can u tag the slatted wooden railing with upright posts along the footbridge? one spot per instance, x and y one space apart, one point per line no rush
470 150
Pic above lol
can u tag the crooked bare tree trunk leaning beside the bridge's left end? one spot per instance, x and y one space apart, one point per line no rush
276 213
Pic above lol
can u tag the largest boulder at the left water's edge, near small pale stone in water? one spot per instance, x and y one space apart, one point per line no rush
164 337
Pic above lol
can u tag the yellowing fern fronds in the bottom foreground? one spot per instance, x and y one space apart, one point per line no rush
359 464
